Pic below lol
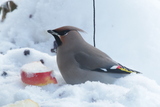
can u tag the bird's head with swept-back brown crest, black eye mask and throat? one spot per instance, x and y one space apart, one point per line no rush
60 33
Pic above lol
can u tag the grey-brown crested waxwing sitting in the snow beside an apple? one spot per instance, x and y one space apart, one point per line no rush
79 61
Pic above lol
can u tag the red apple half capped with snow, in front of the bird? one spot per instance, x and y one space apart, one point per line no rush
36 73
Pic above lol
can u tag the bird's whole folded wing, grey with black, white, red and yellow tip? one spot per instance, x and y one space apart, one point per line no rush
99 63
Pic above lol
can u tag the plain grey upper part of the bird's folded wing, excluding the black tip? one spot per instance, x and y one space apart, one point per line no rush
93 61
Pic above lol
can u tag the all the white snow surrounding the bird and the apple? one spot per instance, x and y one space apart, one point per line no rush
128 31
